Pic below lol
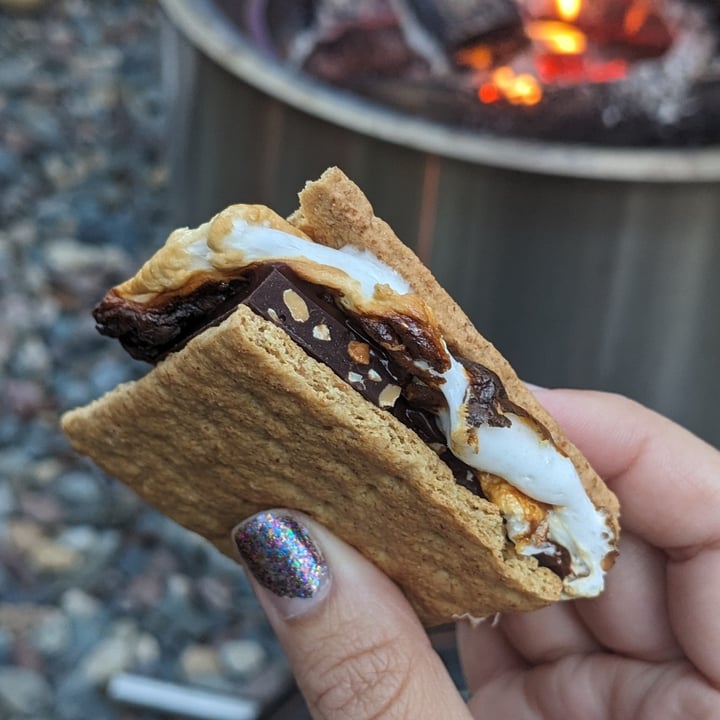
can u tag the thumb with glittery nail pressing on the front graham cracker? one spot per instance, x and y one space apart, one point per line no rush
355 646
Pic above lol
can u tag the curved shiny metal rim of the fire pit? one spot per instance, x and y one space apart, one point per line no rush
205 26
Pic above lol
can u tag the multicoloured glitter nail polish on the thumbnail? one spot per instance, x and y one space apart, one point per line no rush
280 554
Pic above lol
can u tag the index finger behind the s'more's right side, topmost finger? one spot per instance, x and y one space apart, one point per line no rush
667 479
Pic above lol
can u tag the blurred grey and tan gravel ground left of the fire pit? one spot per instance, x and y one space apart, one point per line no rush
92 582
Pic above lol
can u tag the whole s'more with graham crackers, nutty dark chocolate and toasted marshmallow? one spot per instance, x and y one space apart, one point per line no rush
314 363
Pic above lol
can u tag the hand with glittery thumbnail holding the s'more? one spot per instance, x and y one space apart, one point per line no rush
648 647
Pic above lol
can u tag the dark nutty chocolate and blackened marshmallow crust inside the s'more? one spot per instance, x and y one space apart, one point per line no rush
376 356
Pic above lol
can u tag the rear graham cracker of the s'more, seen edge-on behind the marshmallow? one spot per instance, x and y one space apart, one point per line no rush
334 211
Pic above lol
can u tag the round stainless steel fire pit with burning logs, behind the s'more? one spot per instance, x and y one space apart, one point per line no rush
588 265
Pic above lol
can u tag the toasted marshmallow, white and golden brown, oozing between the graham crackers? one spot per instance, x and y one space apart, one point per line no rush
518 454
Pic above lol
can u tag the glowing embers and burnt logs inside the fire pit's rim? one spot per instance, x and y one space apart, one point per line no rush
612 72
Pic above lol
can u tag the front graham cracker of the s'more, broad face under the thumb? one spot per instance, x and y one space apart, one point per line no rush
242 419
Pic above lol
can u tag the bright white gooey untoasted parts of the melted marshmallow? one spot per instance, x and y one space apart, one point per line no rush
517 454
